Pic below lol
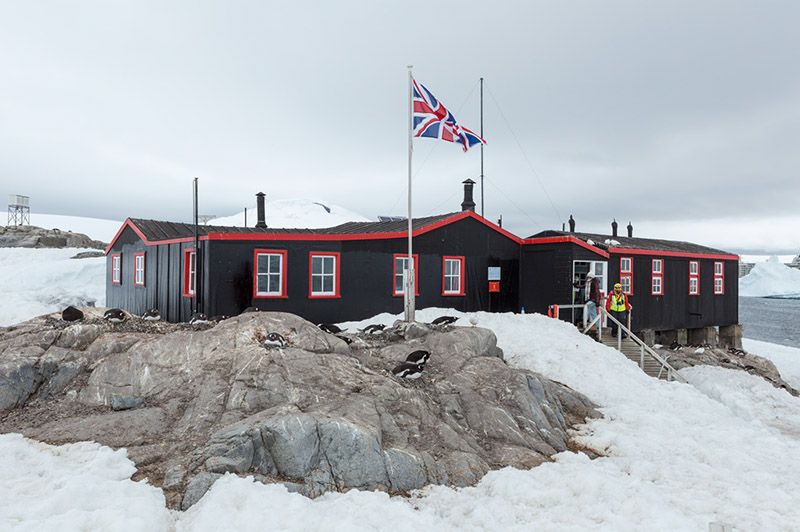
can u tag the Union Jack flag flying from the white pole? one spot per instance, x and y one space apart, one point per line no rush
432 119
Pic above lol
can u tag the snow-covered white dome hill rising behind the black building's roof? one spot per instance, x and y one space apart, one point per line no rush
294 213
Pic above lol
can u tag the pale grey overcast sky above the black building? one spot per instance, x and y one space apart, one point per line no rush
682 117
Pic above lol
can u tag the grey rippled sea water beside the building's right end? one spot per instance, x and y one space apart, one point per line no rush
771 320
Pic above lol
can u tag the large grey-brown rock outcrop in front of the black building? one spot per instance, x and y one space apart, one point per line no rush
317 415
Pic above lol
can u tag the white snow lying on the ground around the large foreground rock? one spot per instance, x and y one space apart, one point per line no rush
724 448
